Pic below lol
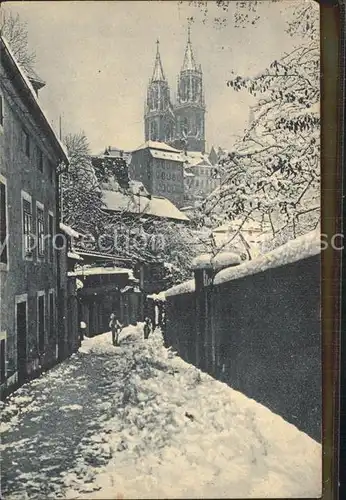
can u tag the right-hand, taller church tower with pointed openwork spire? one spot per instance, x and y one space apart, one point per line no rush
190 106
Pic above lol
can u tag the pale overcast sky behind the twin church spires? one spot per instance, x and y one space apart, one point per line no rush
97 57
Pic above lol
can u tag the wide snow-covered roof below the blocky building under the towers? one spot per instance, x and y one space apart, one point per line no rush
155 206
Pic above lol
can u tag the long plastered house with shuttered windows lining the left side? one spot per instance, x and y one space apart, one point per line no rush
30 154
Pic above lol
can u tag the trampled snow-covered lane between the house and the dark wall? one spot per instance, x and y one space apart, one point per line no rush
138 422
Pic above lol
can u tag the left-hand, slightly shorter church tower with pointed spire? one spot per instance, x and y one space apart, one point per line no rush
159 120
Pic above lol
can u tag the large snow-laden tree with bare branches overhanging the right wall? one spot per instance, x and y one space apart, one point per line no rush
273 172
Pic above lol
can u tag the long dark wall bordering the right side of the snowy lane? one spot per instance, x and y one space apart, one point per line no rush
260 334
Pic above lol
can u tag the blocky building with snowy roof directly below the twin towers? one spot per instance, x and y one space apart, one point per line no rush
161 170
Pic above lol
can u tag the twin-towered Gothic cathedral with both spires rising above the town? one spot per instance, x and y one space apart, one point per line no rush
179 124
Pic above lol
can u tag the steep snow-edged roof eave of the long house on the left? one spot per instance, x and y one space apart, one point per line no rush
8 52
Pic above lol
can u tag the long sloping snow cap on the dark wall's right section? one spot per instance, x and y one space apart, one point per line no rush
301 248
